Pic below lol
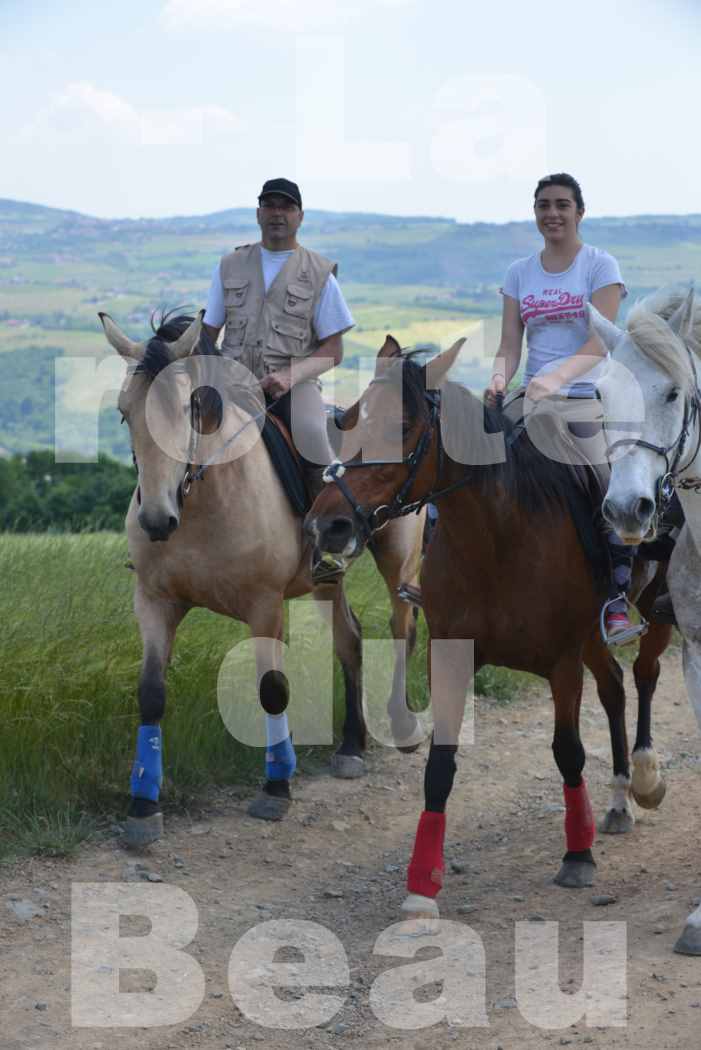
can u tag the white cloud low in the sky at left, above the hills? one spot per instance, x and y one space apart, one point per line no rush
83 114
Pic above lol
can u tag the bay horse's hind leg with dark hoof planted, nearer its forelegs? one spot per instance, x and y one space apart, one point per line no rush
620 817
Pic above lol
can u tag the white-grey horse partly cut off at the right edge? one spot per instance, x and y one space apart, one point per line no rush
658 355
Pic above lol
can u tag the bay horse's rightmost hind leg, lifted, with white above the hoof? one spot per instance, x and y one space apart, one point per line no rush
648 786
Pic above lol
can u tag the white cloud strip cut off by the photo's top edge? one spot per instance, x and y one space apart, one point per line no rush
286 15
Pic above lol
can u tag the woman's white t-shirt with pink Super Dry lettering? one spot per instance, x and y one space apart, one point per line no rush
554 309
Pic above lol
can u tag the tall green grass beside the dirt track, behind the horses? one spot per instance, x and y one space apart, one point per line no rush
71 656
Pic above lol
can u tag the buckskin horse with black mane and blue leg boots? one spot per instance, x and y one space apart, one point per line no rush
229 541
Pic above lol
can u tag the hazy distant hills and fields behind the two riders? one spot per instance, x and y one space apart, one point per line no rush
423 279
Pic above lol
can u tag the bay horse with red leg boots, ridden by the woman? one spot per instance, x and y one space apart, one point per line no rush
505 568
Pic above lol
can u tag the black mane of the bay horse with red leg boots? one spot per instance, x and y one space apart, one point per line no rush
536 481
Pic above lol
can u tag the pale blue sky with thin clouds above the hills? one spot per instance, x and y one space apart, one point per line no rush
405 107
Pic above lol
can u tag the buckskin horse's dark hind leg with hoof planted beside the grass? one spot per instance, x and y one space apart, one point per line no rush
348 763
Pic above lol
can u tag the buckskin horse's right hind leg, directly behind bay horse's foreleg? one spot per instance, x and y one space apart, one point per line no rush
397 552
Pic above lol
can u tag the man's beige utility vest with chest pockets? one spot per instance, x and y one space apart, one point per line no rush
266 330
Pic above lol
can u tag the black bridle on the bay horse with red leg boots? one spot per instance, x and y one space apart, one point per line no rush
372 521
